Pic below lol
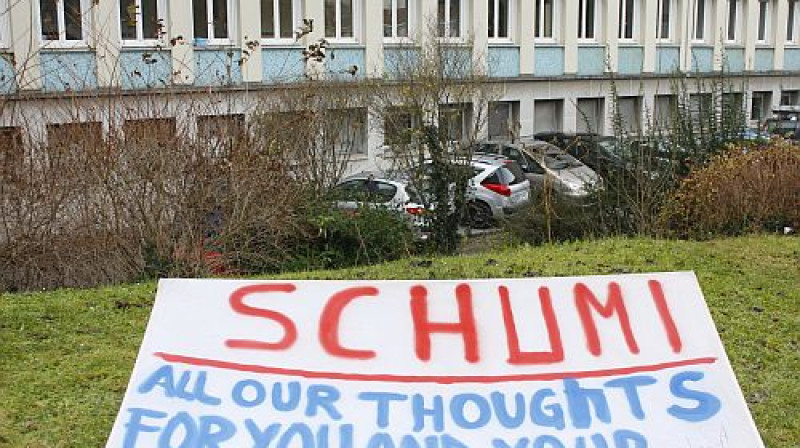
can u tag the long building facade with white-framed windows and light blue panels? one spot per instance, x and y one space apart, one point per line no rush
554 60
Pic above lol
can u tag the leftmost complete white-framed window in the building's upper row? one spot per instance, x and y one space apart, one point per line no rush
63 20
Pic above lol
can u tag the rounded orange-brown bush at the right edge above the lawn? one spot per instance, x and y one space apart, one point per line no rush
744 190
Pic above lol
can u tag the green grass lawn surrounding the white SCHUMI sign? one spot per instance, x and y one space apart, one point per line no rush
65 356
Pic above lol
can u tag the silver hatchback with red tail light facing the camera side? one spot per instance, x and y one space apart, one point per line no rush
497 188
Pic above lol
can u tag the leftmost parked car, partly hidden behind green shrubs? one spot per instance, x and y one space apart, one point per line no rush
368 189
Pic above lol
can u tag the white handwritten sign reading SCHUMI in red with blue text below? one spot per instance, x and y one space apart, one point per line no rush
629 361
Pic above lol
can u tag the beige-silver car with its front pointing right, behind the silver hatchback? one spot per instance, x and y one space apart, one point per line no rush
546 165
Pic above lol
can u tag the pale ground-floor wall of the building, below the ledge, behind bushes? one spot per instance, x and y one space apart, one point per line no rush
521 107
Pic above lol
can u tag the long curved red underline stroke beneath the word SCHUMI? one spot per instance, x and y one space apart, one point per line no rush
390 378
